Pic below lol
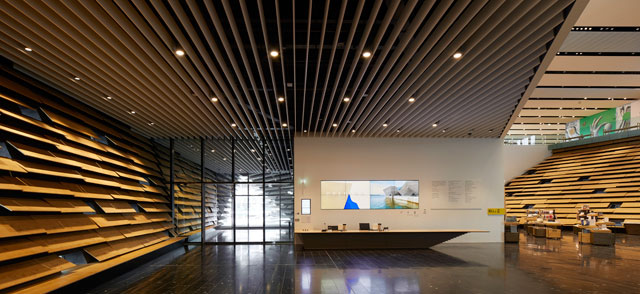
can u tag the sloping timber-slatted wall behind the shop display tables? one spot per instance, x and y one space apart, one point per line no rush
604 175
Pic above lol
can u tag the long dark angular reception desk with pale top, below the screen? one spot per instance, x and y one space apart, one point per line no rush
392 239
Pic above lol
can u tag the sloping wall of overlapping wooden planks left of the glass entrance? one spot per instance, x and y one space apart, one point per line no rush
72 183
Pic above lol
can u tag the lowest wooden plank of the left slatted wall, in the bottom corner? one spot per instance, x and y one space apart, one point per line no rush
18 273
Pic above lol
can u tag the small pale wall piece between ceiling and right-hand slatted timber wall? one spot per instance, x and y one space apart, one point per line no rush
519 158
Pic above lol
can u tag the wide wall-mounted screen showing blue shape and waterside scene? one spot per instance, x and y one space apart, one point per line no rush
369 195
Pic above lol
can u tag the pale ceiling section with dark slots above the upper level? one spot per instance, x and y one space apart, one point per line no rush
596 68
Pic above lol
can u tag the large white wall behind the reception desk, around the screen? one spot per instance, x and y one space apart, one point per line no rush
426 160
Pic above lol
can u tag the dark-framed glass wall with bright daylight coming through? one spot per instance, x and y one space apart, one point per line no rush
247 187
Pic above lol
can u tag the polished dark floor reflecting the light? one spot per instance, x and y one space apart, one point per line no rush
533 266
